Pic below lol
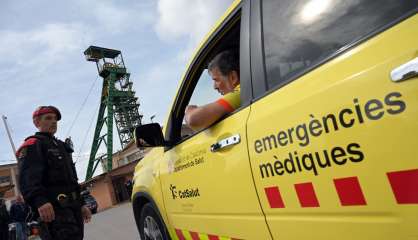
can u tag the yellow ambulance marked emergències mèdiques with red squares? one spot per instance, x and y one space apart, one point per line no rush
324 144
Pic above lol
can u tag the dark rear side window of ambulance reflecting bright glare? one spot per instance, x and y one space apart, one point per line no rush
298 34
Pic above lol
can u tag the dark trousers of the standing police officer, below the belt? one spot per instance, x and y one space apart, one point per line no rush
68 224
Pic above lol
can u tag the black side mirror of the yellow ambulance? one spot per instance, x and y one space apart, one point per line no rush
149 135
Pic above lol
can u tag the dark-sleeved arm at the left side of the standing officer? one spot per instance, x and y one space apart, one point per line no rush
32 166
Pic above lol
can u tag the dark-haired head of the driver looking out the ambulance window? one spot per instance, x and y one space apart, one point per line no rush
224 70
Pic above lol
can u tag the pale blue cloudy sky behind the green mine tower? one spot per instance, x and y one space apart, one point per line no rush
42 62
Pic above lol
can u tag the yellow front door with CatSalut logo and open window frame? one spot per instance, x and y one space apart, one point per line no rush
206 176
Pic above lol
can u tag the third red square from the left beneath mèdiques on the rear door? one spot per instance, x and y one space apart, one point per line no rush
349 191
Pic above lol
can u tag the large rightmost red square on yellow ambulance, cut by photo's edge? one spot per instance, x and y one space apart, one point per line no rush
404 186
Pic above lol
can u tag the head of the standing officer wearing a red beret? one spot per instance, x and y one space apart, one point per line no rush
45 119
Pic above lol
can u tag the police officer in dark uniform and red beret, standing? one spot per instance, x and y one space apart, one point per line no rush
48 179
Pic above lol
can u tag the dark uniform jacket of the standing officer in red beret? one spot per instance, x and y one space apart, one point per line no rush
46 169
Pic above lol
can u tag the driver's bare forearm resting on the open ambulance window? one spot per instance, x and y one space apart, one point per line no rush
201 117
